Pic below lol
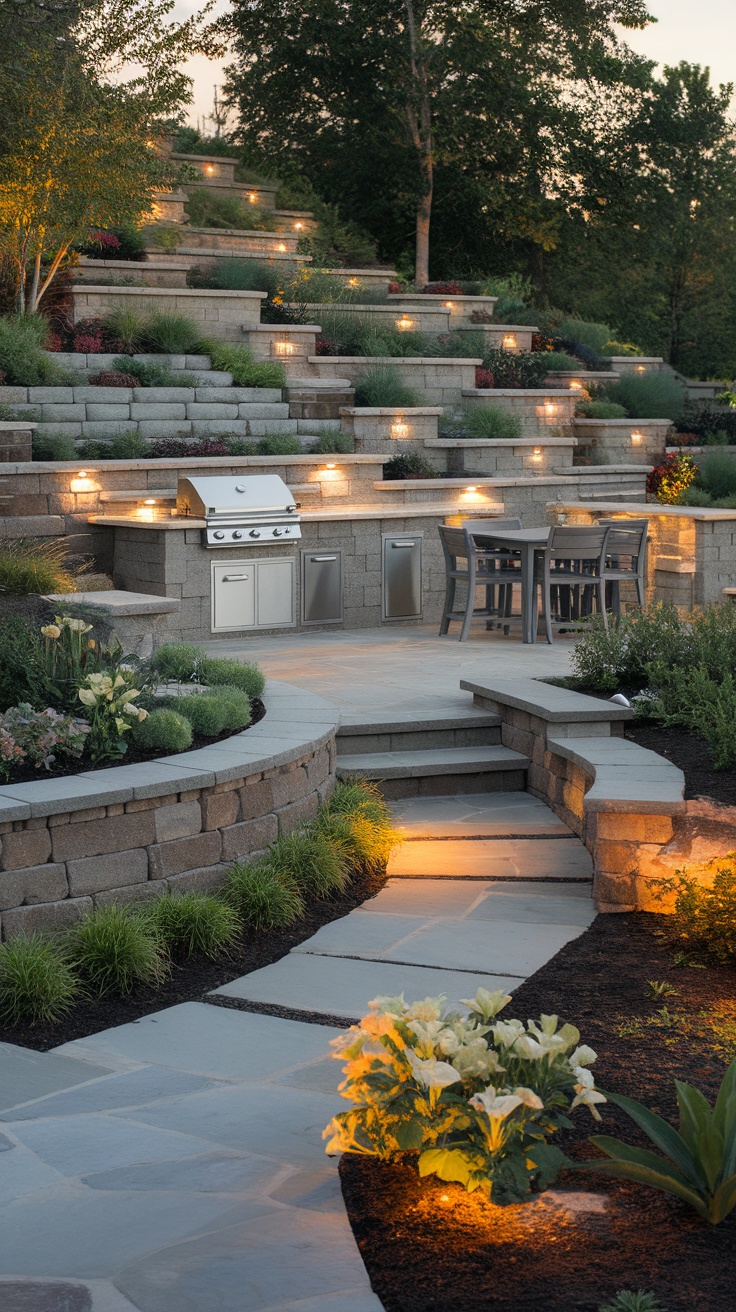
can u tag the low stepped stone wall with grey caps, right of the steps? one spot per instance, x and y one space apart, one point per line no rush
624 801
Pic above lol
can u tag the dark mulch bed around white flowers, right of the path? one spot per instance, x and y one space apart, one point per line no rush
431 1248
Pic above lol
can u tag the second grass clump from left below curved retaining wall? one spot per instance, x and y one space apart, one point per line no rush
113 949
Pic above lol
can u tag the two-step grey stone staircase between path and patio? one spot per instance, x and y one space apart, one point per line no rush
440 756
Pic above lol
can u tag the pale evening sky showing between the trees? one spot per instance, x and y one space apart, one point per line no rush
703 33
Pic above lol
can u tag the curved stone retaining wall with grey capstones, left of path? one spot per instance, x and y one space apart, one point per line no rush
141 831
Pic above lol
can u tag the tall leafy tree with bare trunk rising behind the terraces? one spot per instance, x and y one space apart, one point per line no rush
414 82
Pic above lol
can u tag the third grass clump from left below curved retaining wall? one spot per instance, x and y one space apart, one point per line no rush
194 923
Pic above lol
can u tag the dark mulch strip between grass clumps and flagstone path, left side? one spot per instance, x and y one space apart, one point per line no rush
194 979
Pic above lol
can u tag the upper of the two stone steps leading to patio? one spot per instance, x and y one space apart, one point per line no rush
456 731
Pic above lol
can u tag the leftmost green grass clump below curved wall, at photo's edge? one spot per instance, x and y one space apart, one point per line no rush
37 985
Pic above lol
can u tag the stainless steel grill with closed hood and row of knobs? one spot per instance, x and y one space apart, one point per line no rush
249 511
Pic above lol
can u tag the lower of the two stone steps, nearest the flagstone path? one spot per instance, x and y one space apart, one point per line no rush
440 771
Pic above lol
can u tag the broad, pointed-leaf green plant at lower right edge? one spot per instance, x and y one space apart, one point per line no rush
696 1163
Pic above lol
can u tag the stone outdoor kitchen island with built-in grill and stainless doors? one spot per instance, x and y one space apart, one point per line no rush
354 566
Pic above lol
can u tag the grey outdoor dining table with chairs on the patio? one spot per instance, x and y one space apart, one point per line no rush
508 575
